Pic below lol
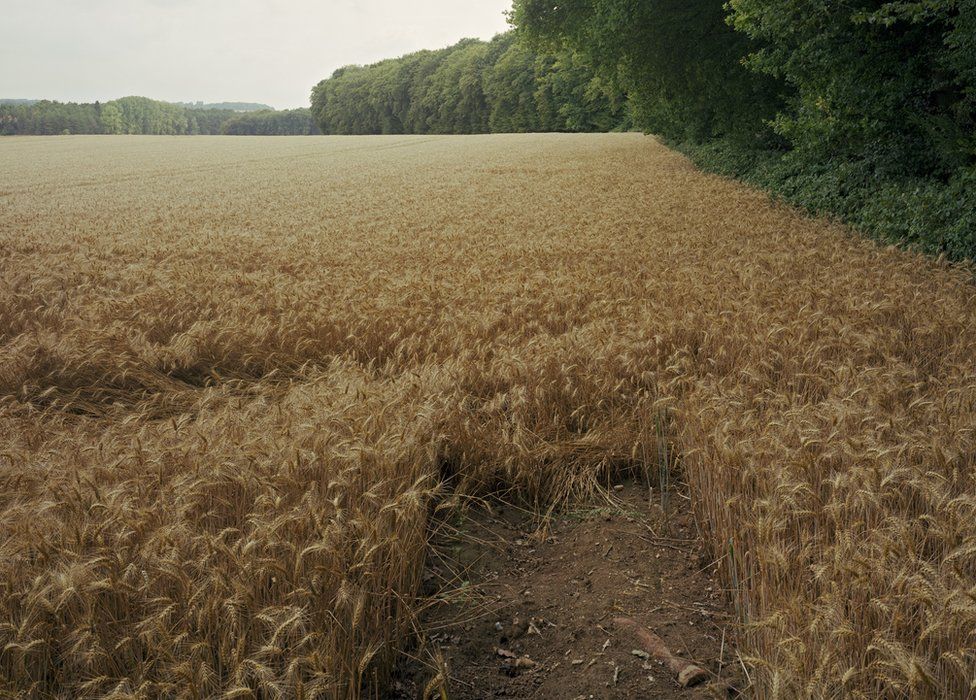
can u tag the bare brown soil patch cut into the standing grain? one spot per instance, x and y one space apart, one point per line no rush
570 577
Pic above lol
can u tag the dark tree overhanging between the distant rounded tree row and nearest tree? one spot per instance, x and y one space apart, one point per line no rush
678 60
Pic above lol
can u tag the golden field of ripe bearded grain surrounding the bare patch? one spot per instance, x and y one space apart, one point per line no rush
238 378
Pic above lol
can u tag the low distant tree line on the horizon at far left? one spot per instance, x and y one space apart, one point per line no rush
140 115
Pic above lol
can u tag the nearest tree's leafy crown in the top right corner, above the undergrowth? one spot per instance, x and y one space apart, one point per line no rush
892 82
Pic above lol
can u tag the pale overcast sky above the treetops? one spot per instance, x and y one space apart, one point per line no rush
270 51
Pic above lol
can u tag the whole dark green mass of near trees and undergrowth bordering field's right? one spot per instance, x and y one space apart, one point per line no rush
863 109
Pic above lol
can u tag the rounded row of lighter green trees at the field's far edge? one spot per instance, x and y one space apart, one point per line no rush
471 87
